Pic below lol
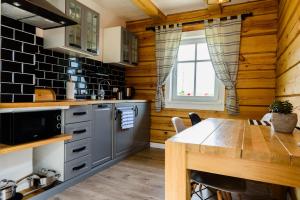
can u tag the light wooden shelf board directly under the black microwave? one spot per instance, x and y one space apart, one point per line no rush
4 149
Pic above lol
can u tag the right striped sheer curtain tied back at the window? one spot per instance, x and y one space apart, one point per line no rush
223 39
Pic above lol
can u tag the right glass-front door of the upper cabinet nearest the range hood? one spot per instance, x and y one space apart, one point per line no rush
92 30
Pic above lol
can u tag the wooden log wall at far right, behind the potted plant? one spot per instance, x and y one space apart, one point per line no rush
288 55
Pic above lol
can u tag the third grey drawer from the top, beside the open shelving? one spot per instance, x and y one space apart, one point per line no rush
77 149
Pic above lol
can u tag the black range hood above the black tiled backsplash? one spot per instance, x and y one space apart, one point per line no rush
39 13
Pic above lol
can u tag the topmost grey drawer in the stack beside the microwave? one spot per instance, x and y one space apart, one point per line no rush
78 114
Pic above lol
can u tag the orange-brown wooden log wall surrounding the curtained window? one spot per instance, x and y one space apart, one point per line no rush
256 77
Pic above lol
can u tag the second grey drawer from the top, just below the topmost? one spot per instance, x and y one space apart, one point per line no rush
79 130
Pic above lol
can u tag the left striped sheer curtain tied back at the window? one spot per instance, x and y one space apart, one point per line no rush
167 42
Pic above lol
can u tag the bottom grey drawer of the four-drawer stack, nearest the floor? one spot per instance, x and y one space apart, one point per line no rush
77 167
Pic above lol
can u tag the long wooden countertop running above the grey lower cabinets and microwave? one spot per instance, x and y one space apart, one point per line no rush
64 103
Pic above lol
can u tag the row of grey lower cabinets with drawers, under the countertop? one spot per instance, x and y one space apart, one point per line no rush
98 137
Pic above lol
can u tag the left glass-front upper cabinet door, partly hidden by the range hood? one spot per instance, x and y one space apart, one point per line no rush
74 33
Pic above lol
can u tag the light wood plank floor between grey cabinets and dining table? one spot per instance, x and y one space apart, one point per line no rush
139 177
